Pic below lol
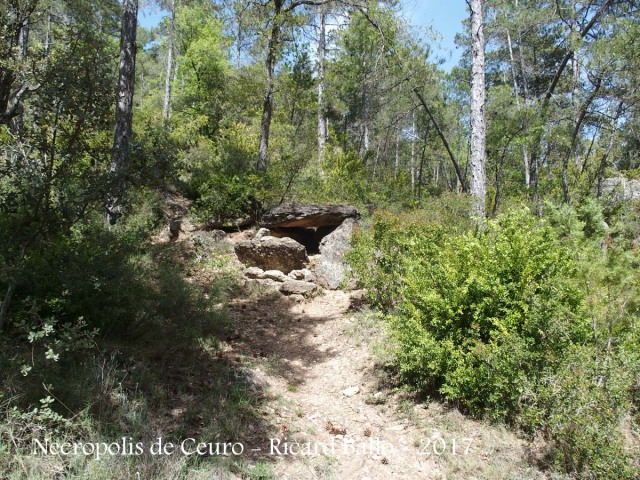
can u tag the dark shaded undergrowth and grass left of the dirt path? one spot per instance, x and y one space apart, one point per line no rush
121 342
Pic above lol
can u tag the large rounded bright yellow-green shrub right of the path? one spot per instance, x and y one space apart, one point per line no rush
499 304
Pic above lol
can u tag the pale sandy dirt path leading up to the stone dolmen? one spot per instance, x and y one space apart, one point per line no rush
326 431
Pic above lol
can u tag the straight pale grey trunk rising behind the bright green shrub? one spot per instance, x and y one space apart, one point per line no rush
478 133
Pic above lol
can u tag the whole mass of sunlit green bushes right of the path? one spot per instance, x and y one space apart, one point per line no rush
509 323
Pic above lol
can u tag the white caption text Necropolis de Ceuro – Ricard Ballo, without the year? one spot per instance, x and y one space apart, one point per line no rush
126 446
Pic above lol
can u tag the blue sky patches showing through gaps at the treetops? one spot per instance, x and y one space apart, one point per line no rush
442 16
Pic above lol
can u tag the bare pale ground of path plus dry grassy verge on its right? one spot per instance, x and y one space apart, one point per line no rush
335 413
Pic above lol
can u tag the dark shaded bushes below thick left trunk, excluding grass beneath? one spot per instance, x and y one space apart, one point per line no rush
80 291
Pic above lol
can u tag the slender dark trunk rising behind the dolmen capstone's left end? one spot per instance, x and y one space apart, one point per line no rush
267 105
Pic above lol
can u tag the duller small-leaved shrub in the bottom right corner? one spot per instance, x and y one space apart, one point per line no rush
585 403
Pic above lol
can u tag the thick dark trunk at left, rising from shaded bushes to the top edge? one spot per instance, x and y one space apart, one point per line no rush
124 113
